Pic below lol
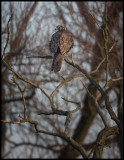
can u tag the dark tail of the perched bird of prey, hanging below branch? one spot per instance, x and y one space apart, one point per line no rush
57 62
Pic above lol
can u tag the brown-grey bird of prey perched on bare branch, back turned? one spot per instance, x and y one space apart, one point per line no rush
60 44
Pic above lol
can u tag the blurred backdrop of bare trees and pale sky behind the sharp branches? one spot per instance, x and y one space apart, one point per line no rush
30 31
